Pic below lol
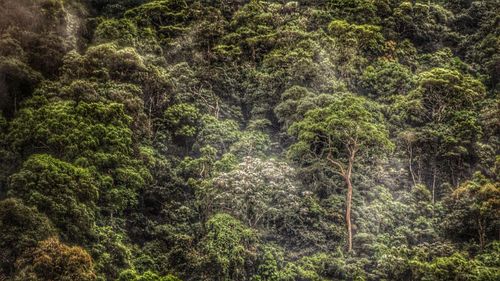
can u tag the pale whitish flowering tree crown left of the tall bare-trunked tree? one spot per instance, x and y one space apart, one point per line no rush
258 192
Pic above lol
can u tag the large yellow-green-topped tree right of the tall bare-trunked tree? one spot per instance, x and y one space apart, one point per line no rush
442 110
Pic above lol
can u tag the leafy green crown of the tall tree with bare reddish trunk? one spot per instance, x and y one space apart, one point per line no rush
346 122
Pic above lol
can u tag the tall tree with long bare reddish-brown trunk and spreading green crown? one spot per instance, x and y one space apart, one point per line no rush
350 129
